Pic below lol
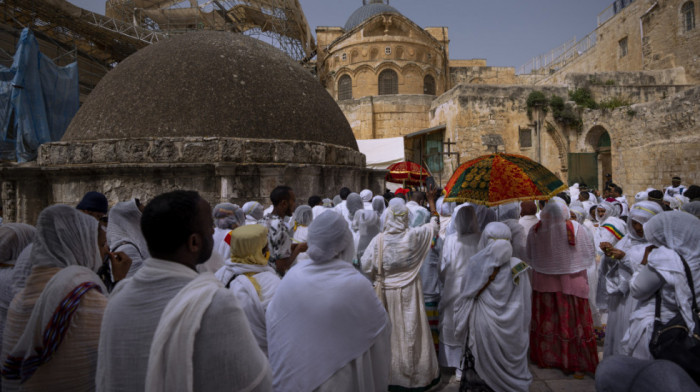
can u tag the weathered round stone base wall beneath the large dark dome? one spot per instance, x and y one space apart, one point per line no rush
221 169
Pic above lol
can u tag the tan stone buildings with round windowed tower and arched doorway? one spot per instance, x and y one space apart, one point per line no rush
393 78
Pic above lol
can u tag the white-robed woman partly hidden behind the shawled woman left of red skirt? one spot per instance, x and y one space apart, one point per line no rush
458 248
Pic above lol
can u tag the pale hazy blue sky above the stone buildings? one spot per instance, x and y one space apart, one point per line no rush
504 32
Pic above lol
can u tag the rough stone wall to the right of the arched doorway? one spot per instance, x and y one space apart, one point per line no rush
660 140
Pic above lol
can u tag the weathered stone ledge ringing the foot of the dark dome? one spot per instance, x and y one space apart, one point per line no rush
190 150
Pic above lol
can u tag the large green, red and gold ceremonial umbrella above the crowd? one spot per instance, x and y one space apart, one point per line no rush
502 178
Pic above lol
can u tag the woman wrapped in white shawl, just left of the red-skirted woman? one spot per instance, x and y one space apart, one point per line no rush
494 310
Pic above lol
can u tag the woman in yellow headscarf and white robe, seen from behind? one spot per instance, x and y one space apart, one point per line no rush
250 278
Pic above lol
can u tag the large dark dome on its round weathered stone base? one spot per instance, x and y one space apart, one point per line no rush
220 113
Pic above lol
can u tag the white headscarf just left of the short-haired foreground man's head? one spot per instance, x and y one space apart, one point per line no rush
125 227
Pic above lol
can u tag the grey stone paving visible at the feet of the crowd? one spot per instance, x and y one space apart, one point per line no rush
543 380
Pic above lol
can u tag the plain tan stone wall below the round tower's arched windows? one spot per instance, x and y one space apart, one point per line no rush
387 116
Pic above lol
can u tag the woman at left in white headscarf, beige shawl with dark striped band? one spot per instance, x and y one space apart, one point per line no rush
53 324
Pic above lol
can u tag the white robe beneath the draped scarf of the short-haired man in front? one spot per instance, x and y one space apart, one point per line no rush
222 360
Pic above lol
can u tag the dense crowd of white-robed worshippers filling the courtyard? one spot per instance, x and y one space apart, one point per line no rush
355 293
